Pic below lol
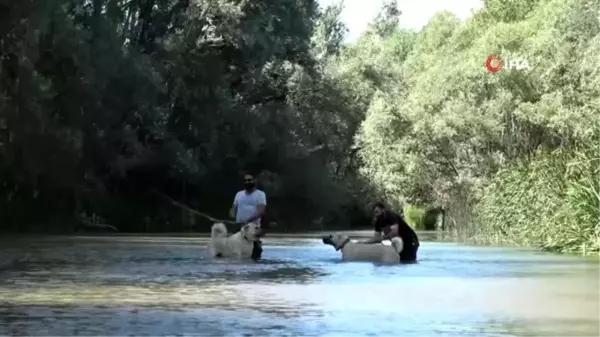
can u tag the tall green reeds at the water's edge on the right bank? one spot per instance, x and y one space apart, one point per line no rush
552 203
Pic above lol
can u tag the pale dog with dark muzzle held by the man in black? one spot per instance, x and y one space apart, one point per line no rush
352 251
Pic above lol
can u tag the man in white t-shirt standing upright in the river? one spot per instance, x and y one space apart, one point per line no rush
249 205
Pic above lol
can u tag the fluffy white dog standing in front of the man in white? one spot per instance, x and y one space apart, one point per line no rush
238 245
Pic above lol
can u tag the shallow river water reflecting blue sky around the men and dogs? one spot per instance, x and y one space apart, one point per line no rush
165 286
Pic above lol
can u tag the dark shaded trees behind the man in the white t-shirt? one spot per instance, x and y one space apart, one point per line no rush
107 106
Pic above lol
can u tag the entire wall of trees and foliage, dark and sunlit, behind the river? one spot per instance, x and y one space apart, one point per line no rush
110 103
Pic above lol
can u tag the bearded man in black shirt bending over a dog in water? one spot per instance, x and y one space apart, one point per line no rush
393 225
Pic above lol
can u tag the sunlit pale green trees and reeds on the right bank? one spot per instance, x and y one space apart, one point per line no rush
510 155
